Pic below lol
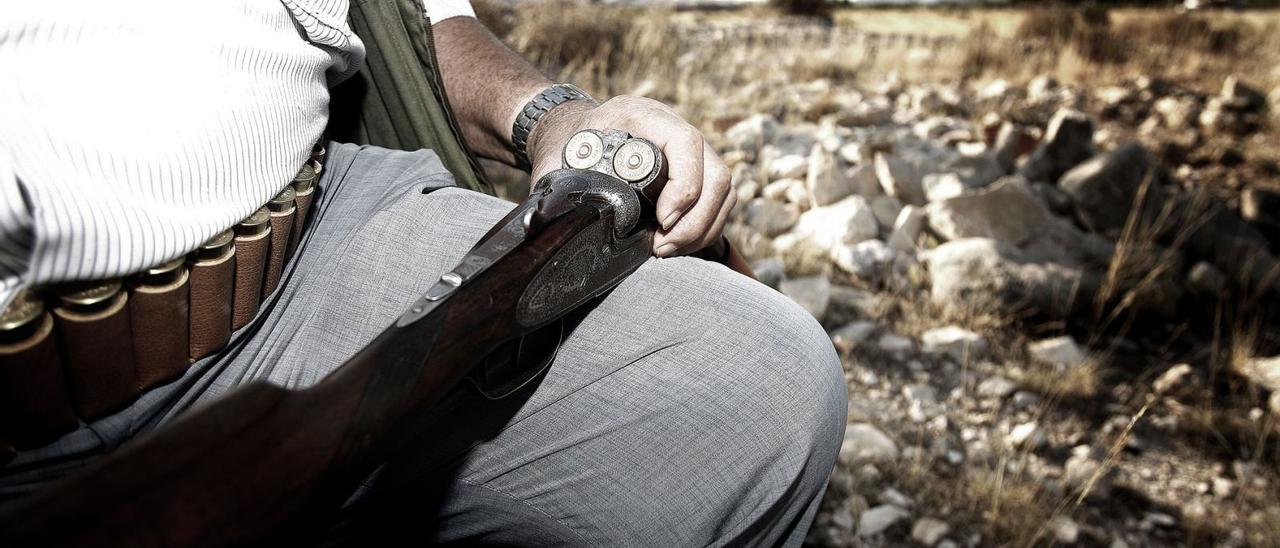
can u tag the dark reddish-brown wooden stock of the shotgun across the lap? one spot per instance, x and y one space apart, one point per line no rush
262 459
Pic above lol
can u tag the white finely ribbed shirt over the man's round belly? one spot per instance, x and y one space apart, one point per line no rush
131 133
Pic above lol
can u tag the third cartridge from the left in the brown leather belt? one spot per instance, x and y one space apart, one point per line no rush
159 316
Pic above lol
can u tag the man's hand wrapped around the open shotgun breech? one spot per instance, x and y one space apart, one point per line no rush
698 198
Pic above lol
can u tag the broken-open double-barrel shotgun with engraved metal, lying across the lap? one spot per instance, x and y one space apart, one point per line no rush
246 467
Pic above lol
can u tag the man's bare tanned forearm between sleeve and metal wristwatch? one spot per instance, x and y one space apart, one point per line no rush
487 84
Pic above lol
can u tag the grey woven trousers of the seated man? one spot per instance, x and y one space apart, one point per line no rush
692 407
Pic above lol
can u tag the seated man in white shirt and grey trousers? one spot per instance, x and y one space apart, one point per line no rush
689 407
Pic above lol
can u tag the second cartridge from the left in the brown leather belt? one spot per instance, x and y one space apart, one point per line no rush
98 346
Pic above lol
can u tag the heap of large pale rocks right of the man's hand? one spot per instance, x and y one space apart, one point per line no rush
898 191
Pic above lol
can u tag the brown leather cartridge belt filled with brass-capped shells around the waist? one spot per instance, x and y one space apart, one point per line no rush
81 351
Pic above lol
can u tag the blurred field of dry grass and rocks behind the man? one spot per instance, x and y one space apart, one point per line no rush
1044 239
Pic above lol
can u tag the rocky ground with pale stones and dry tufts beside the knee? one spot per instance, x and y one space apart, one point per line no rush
1048 318
